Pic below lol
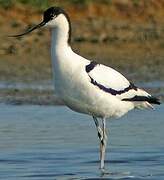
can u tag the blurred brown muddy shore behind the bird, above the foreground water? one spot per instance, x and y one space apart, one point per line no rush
127 35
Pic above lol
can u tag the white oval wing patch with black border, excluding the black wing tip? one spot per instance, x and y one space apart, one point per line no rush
108 79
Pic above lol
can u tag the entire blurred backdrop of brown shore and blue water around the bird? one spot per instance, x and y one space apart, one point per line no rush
40 141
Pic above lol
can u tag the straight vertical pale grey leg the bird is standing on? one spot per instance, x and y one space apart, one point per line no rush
103 145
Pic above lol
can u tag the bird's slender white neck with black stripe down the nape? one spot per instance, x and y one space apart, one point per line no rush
61 35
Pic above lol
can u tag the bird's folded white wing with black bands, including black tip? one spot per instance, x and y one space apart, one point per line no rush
114 83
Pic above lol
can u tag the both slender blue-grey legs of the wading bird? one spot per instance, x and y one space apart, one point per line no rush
103 139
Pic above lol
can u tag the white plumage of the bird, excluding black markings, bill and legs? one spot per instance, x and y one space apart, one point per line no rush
73 85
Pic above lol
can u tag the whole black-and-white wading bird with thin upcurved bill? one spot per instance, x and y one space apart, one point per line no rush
86 86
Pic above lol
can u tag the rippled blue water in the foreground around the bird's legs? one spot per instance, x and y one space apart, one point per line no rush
50 142
